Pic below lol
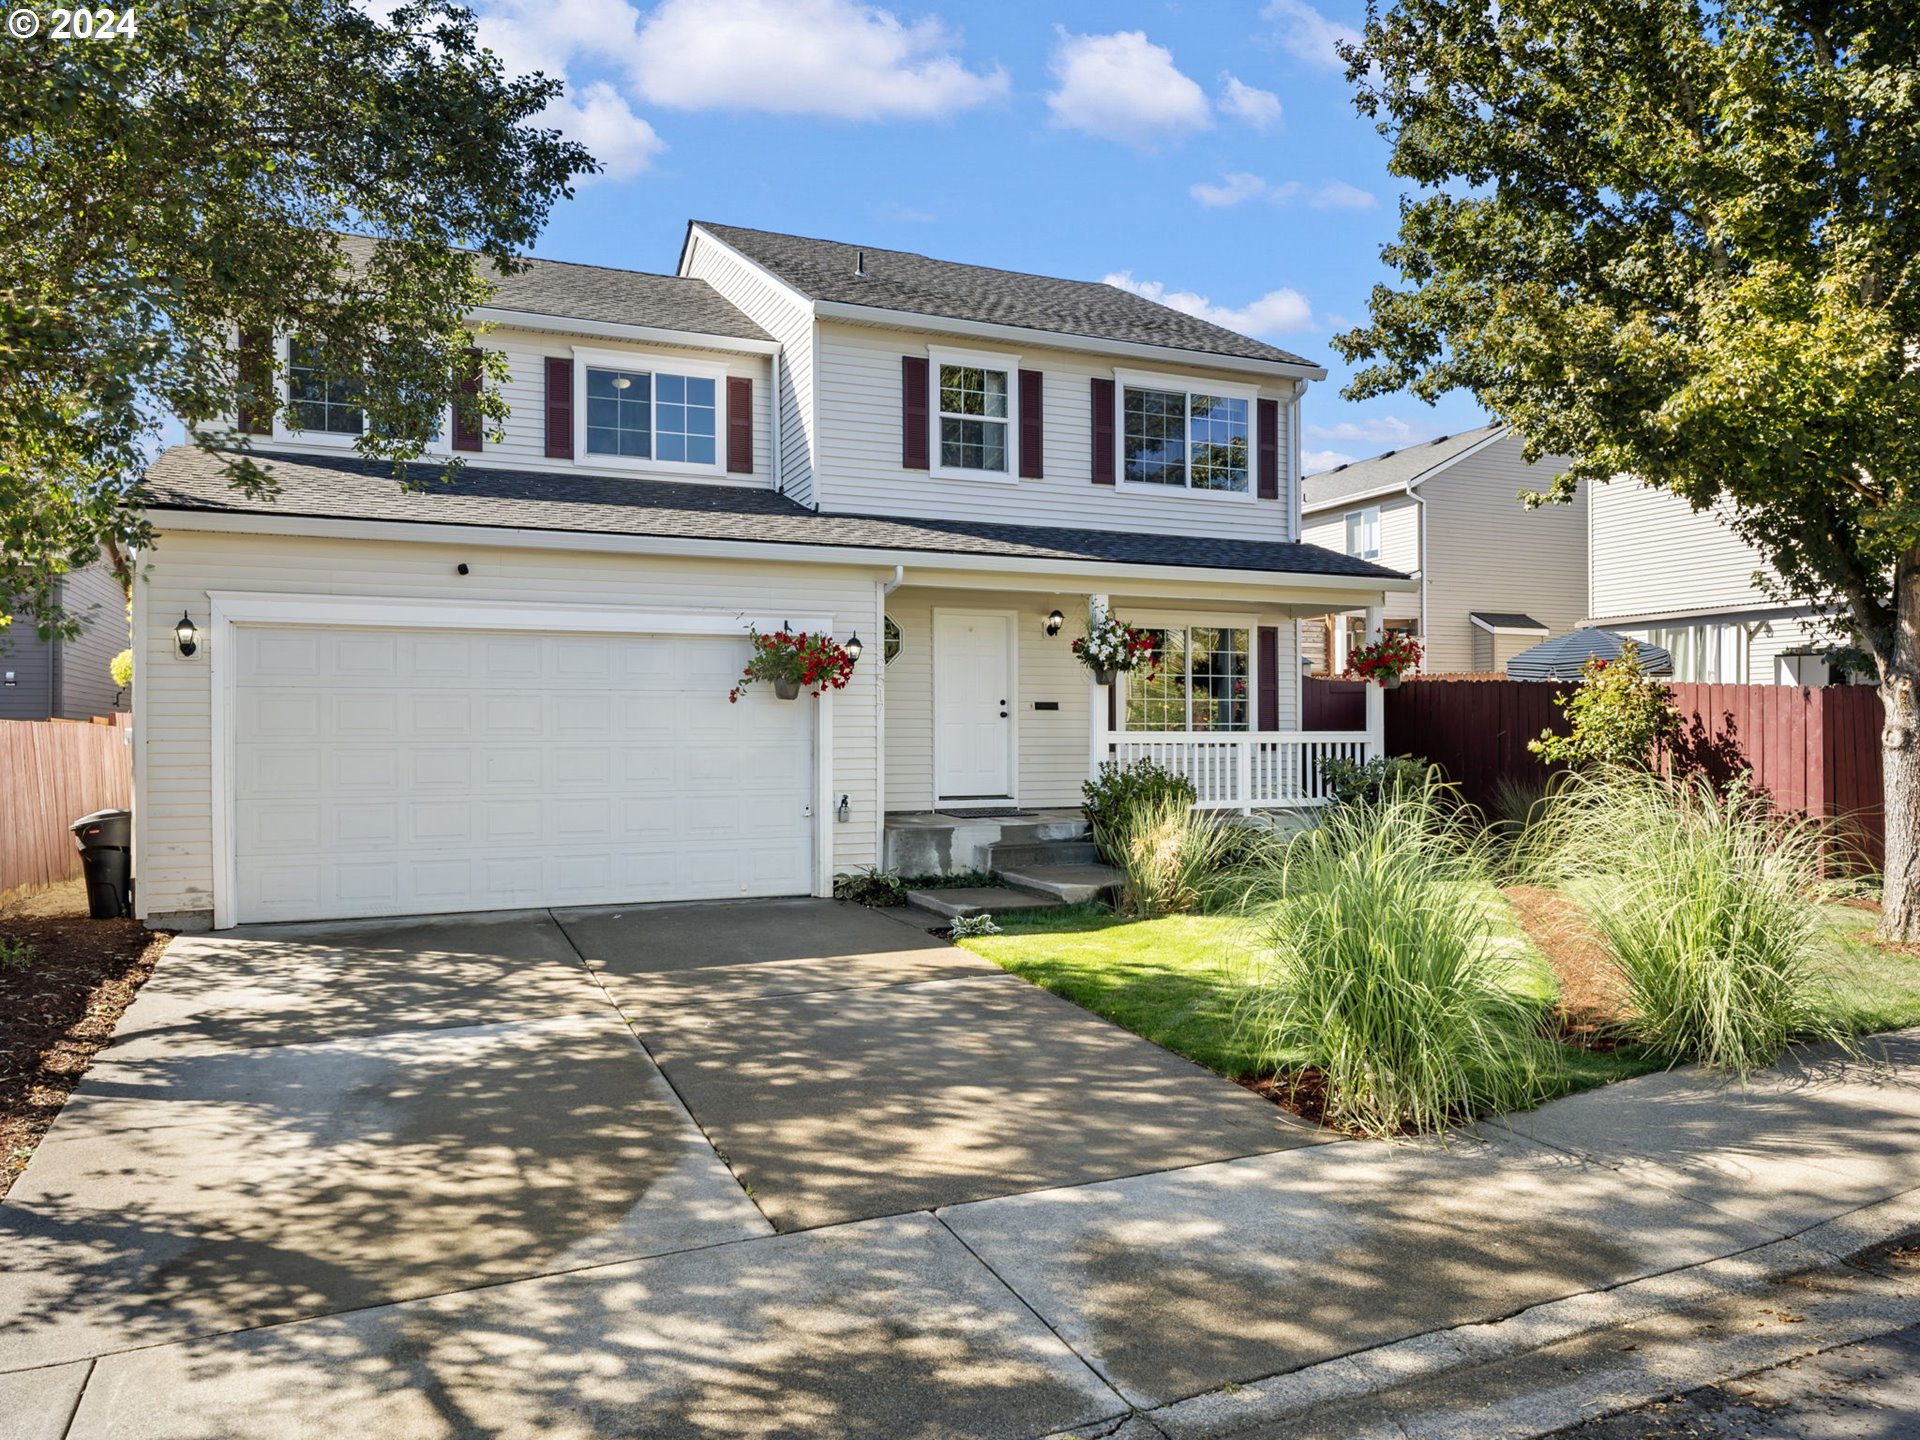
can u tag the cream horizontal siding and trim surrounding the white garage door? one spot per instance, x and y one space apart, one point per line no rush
176 838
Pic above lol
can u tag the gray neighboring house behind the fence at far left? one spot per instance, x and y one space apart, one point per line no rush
68 679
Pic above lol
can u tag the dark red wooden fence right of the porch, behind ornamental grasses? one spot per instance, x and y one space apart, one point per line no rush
1812 750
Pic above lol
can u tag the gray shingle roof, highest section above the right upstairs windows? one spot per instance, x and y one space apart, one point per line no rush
903 281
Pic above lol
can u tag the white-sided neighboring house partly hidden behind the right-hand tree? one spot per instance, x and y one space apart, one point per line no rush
1681 579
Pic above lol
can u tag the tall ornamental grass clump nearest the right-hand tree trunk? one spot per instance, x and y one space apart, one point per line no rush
1708 901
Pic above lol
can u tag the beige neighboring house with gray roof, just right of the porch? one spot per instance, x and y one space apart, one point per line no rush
1495 577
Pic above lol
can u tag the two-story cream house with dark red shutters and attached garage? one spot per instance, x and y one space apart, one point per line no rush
514 690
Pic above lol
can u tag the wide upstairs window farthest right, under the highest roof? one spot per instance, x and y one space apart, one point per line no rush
1184 437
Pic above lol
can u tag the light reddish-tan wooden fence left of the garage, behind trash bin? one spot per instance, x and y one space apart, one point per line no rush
51 775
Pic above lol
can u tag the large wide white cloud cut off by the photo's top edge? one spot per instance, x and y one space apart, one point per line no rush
832 59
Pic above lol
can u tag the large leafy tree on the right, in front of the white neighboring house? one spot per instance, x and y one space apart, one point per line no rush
1677 241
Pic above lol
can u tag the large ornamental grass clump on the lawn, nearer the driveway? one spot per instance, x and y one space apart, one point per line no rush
1385 971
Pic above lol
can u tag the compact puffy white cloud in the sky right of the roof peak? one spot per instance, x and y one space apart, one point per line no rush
1124 87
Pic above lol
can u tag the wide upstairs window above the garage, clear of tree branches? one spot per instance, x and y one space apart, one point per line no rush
660 416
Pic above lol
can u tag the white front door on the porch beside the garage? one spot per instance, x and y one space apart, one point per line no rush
972 706
